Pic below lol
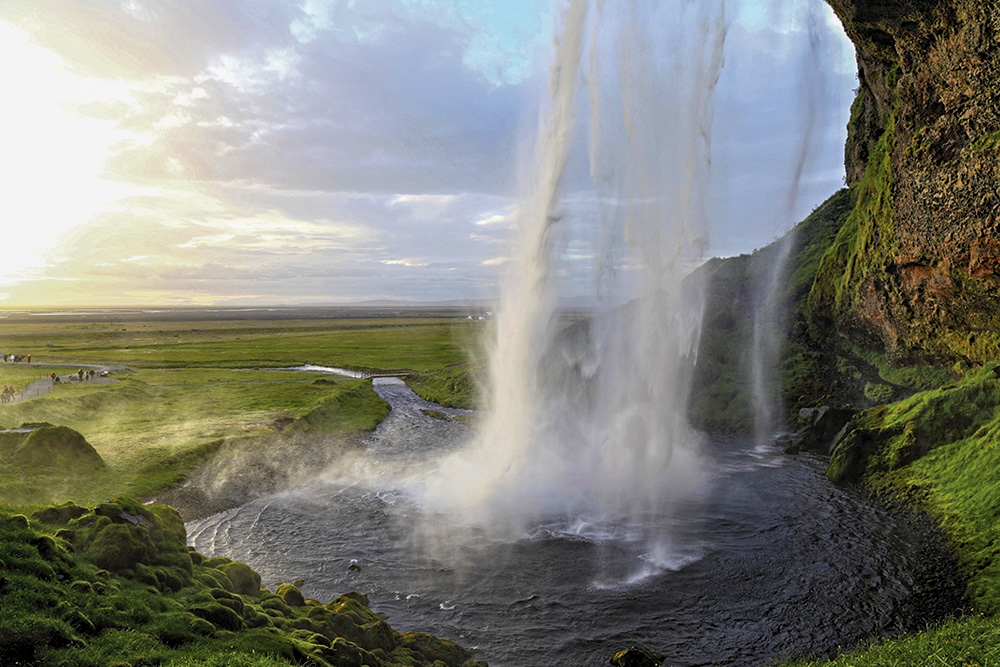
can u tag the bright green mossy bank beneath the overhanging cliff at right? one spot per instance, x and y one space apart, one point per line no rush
939 449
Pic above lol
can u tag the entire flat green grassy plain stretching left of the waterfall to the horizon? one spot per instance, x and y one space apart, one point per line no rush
186 388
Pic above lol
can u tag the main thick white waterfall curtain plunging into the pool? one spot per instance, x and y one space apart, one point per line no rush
586 421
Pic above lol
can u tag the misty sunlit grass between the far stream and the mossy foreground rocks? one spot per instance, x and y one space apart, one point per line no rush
150 434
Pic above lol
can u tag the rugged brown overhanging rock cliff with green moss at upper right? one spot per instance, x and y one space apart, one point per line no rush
916 270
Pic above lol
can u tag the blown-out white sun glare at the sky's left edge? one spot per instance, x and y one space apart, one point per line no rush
53 155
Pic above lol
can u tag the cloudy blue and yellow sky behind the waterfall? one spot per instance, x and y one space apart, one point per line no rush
308 152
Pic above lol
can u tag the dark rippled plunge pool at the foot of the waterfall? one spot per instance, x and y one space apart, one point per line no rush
773 562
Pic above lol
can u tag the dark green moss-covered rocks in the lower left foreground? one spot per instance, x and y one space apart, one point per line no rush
126 615
